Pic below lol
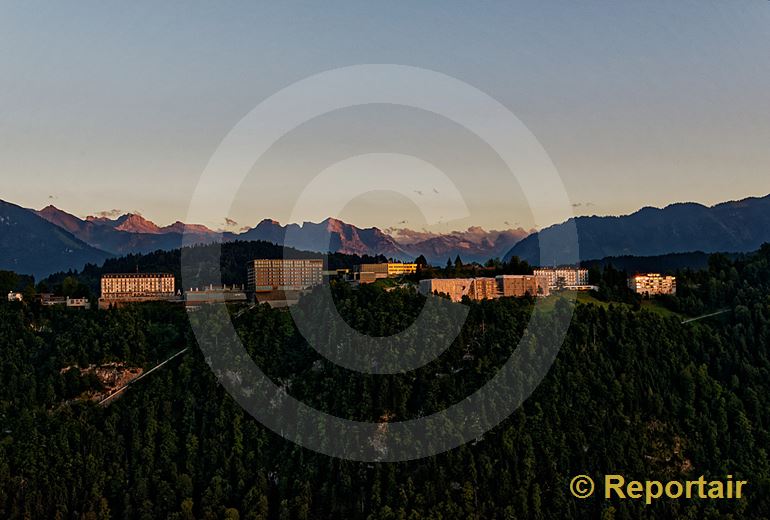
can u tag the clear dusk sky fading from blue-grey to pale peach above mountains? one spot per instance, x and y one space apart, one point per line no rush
118 107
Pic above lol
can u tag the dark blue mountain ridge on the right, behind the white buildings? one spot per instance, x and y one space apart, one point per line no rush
738 226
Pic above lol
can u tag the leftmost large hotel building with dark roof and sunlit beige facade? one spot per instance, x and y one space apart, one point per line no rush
120 288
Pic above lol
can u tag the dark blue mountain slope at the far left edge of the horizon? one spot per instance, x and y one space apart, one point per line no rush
30 244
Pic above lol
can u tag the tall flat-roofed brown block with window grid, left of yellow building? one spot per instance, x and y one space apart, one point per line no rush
268 275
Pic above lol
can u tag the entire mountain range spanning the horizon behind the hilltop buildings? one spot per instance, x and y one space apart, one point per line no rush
50 240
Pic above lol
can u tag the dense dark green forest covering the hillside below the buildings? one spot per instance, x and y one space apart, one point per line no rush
632 391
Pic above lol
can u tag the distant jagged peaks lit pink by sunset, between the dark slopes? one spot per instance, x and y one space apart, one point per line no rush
132 233
